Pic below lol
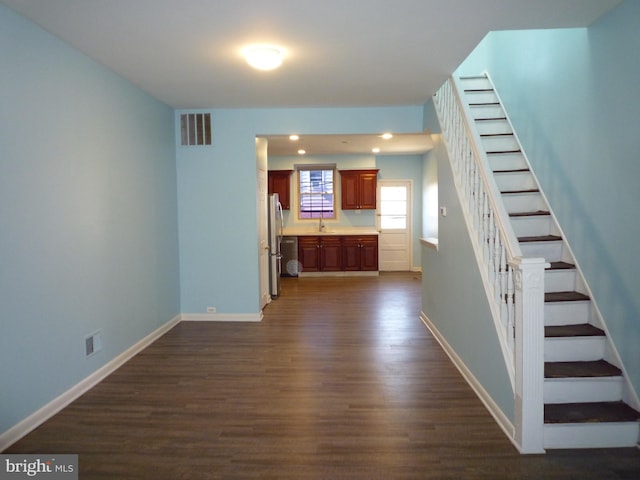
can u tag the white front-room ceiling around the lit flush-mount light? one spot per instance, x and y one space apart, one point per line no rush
340 52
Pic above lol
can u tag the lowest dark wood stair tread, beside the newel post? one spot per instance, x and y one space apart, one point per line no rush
593 412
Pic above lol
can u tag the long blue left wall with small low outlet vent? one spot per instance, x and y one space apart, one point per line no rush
88 216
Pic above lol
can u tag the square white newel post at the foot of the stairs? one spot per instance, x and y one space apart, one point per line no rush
529 354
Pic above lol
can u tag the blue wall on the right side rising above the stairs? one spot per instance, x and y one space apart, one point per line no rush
573 98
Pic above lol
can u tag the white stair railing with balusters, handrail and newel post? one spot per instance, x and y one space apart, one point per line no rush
514 285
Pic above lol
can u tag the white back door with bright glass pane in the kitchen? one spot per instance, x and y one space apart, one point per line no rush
394 225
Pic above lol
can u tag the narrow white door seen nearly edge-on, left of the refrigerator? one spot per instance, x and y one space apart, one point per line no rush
263 228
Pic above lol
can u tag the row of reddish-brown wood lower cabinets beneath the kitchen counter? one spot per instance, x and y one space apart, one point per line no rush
335 253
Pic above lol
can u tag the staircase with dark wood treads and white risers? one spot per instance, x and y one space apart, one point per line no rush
586 396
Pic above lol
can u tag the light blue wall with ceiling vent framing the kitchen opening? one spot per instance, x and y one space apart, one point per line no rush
217 196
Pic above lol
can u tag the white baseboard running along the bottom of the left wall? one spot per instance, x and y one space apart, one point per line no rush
37 418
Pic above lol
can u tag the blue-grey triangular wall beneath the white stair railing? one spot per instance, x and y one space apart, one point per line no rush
453 295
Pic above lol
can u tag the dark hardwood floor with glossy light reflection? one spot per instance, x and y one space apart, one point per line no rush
341 380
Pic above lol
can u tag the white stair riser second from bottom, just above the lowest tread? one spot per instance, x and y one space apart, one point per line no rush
575 390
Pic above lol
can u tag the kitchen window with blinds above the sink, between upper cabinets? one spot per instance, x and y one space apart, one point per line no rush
316 194
